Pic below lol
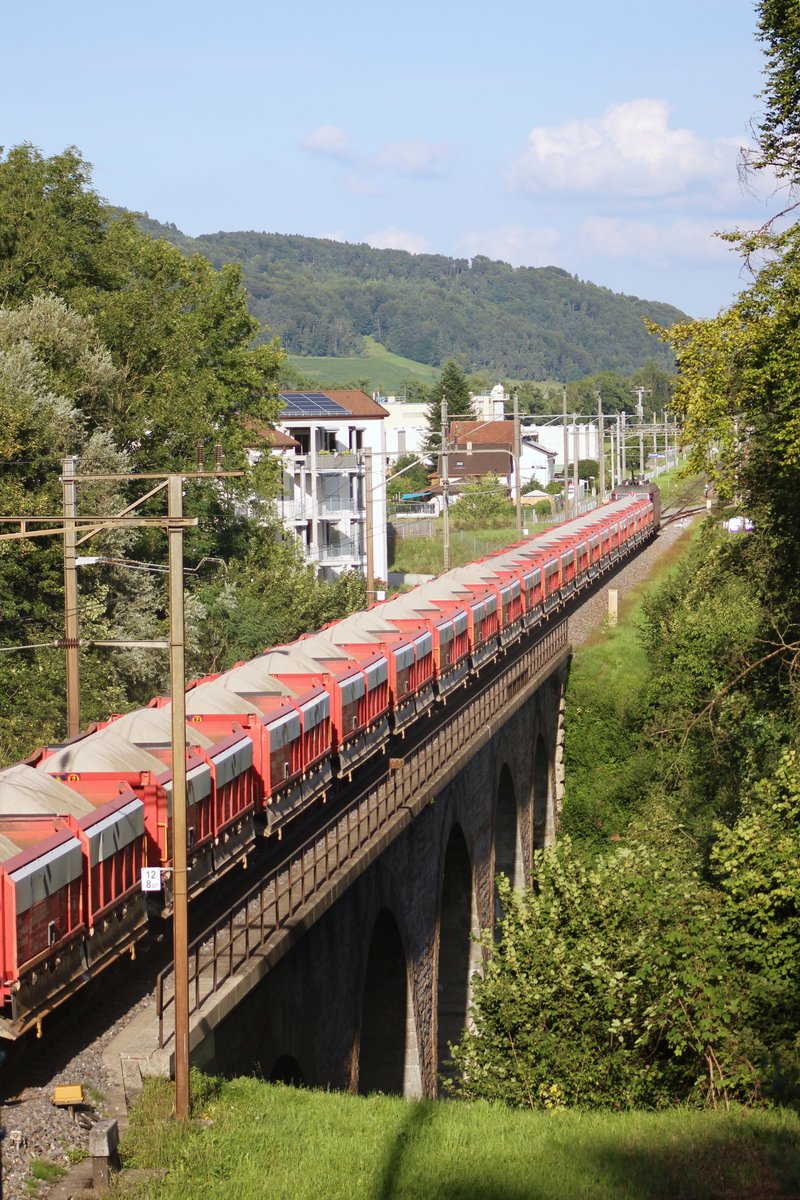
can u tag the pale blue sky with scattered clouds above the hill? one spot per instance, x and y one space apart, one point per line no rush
600 137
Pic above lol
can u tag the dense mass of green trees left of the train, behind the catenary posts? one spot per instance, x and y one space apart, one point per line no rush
125 353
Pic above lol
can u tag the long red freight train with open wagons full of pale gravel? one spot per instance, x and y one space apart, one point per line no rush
266 741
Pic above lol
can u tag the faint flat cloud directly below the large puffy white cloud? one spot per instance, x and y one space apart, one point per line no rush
654 245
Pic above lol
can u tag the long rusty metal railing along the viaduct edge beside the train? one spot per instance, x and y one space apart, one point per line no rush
249 928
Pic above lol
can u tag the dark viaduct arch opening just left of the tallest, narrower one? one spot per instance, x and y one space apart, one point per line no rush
388 1047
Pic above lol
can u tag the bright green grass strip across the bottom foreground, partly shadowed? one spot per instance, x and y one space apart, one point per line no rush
255 1141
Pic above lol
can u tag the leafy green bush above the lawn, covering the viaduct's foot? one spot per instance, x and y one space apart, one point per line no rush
610 987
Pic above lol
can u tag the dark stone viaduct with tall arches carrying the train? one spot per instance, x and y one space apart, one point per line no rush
375 987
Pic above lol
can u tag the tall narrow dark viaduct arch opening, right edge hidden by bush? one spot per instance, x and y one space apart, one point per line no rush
459 956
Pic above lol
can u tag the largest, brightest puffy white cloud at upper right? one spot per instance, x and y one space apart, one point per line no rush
630 151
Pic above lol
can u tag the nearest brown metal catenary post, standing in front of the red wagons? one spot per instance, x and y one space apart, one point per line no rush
178 687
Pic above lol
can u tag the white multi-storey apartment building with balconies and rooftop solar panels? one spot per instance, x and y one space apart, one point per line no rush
334 454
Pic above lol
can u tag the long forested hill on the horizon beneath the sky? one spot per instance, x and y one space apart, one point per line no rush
323 297
